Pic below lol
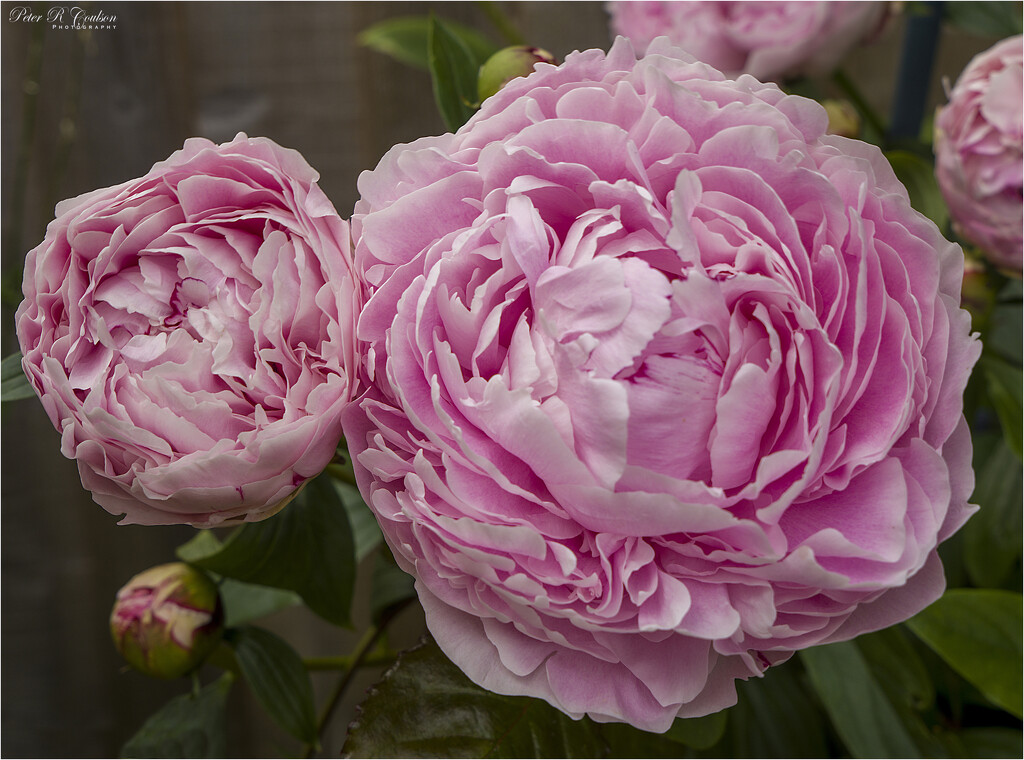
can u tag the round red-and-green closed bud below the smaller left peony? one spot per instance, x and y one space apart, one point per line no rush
167 620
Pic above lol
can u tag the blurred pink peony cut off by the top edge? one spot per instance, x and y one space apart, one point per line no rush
769 40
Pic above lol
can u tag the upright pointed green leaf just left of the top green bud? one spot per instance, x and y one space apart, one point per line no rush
454 72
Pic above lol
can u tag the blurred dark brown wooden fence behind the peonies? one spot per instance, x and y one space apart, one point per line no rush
89 109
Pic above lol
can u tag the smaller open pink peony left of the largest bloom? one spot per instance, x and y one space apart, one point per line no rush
191 333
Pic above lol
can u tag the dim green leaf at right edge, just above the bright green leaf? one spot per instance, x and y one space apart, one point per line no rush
993 545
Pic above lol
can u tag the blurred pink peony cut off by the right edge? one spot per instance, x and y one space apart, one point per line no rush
978 155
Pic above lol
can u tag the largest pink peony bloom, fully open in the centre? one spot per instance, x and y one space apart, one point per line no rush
666 385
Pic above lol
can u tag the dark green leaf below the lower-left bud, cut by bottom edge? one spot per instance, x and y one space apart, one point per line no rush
190 726
